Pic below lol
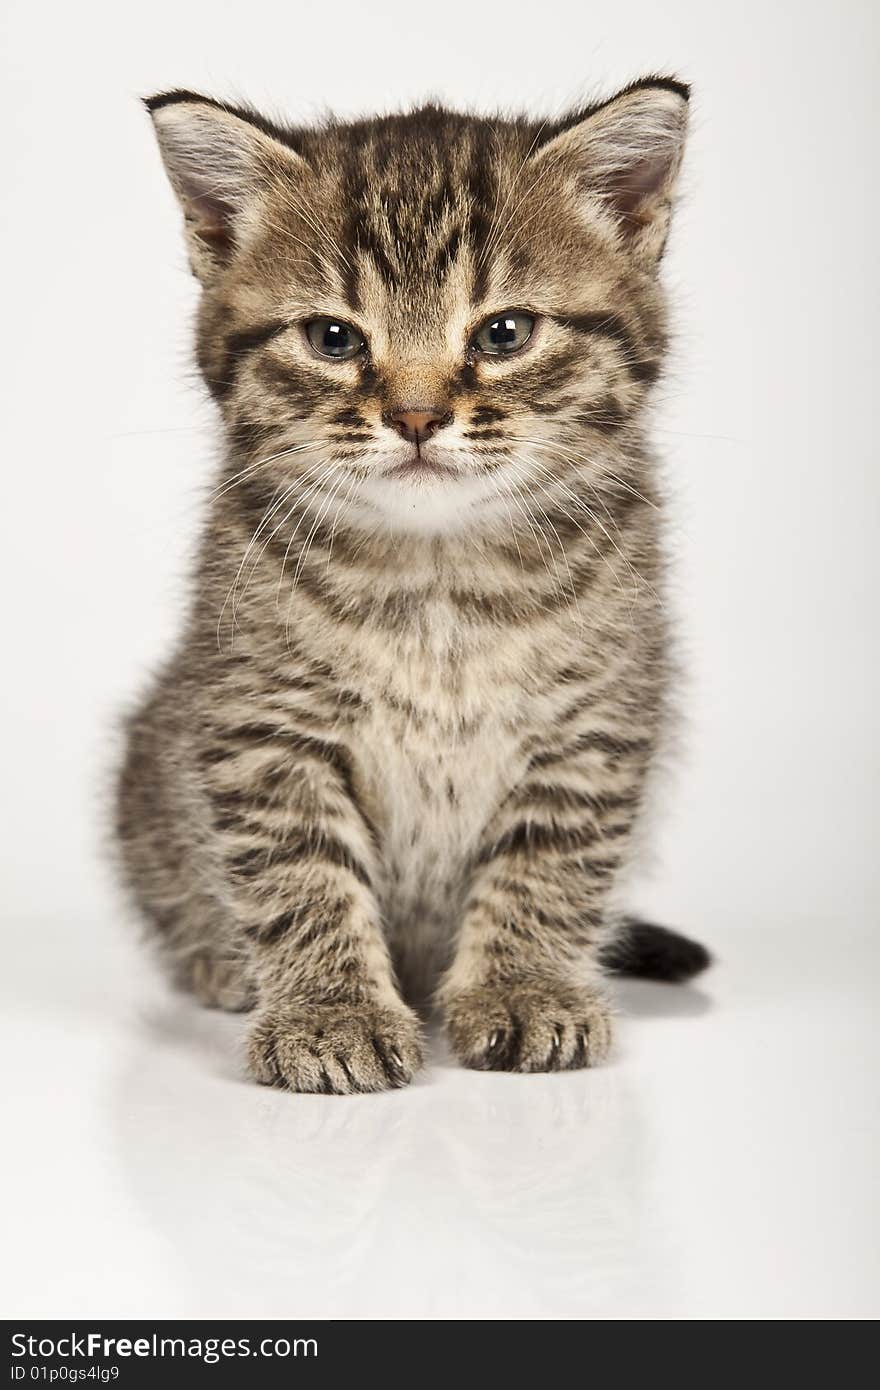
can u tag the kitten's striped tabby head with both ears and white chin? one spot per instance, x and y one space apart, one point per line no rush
425 320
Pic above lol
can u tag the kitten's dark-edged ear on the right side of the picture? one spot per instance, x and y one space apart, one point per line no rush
628 154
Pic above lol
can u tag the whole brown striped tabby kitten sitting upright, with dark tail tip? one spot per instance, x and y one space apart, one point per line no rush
404 742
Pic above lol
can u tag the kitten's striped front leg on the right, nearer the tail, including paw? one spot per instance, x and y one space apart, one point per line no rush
525 992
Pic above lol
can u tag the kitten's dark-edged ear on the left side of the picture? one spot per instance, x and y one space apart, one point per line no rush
218 161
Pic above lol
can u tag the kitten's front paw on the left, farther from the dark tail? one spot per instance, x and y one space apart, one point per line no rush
336 1049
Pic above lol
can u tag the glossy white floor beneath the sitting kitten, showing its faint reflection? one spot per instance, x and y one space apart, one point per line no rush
724 1167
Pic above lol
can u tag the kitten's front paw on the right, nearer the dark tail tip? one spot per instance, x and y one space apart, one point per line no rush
529 1028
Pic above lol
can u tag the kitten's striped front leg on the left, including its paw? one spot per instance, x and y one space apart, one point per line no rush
297 865
